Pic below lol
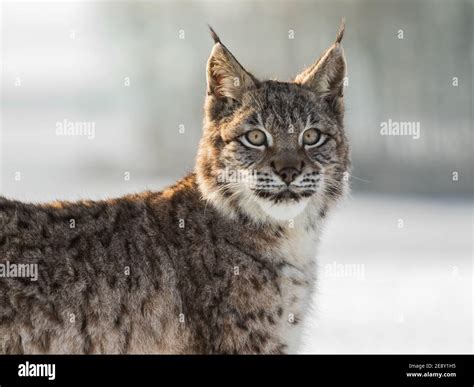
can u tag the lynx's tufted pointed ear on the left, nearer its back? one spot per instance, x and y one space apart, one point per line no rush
225 75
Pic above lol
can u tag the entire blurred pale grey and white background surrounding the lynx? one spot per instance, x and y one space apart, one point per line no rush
396 261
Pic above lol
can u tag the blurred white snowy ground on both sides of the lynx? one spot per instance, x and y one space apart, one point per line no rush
382 288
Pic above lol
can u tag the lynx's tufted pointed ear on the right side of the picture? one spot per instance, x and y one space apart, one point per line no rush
326 76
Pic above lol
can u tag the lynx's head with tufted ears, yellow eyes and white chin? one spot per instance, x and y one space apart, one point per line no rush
270 148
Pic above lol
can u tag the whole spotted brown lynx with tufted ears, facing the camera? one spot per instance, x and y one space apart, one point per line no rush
221 262
